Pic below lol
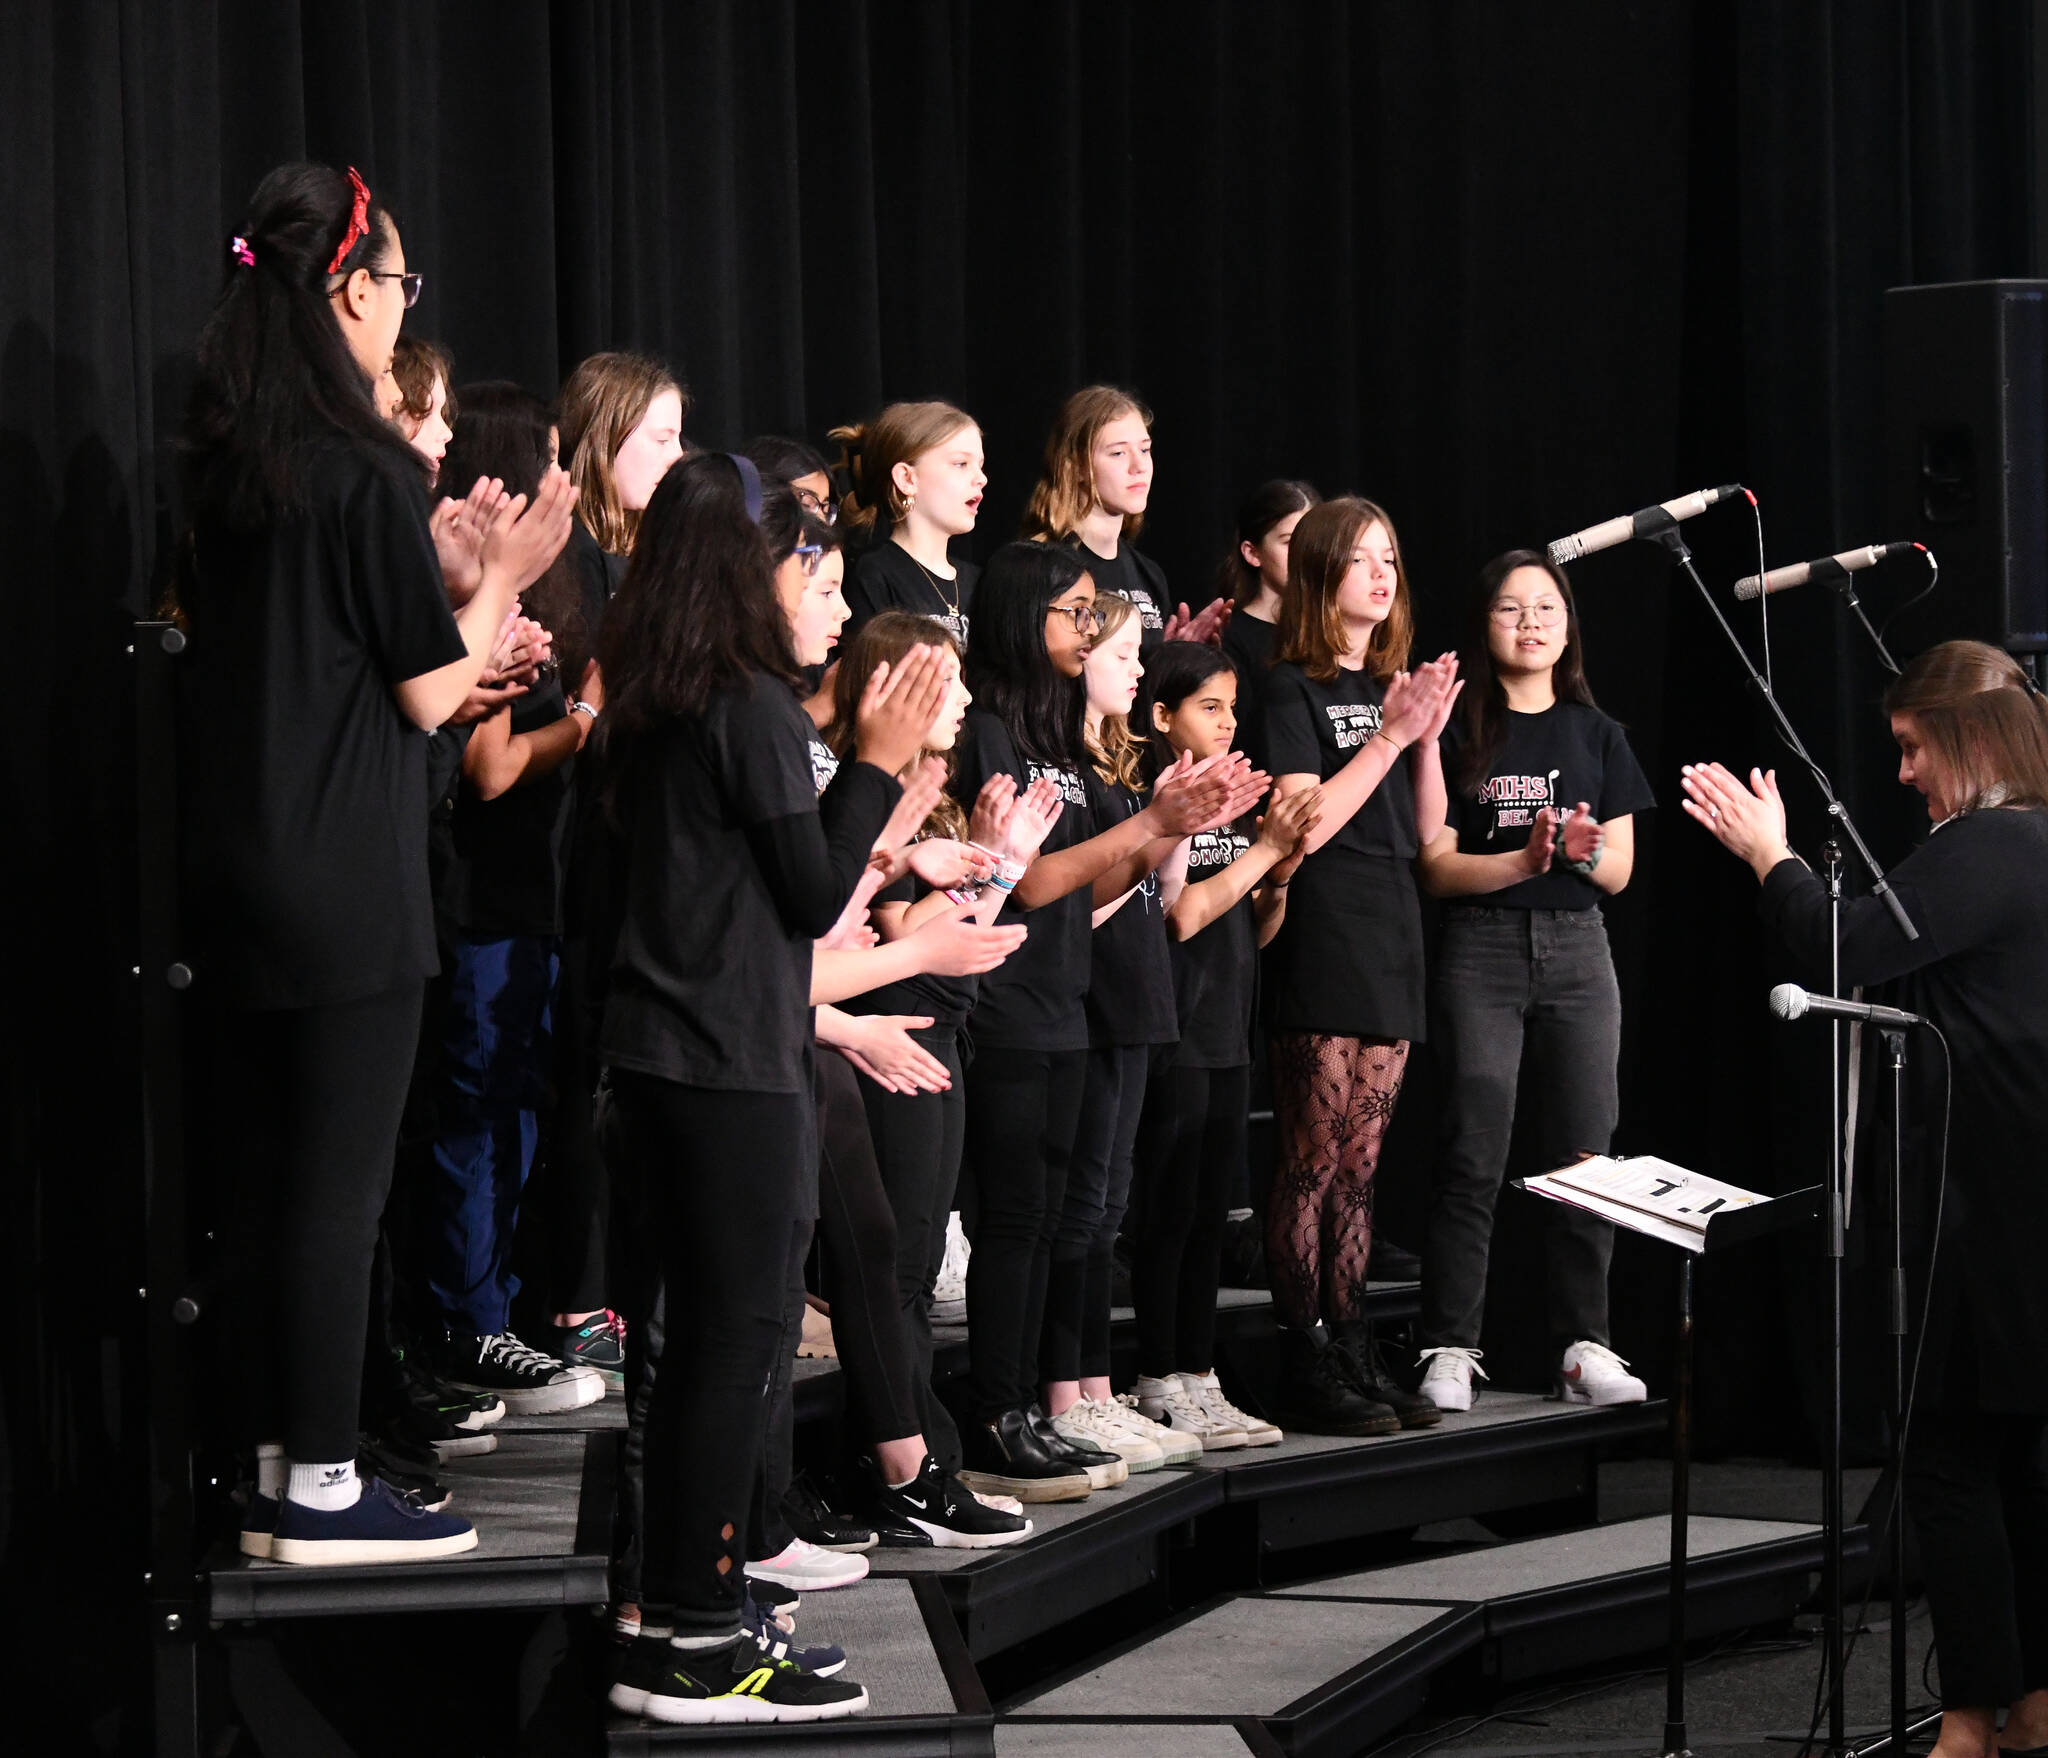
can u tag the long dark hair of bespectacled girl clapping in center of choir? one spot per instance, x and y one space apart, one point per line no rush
1009 667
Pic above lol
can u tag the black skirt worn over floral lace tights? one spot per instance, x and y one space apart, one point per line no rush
1349 958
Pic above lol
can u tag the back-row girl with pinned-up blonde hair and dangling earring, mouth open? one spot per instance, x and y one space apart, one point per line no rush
914 483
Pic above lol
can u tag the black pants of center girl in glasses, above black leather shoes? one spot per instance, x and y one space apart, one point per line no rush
1023 1107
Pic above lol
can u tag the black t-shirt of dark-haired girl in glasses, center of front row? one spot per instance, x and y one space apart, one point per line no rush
1031 1001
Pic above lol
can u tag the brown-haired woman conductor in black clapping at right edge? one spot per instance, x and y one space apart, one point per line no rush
1973 741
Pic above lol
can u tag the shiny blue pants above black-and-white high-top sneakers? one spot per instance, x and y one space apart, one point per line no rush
495 1056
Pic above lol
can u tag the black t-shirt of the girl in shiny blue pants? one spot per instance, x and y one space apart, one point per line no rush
511 853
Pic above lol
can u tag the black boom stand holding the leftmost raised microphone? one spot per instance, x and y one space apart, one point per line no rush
1834 1208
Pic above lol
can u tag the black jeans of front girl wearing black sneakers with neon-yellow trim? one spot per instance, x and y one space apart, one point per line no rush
726 1181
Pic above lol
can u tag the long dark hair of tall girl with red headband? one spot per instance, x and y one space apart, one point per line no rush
275 372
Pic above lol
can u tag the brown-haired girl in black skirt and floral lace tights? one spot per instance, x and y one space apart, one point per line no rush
1347 968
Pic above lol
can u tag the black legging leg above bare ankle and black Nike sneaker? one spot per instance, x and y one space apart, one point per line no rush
859 1259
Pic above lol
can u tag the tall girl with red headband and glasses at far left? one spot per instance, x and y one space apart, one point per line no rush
323 646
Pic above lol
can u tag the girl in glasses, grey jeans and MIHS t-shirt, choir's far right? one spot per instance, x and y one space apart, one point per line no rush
1543 790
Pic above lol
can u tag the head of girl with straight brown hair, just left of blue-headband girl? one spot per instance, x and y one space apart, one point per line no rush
622 429
